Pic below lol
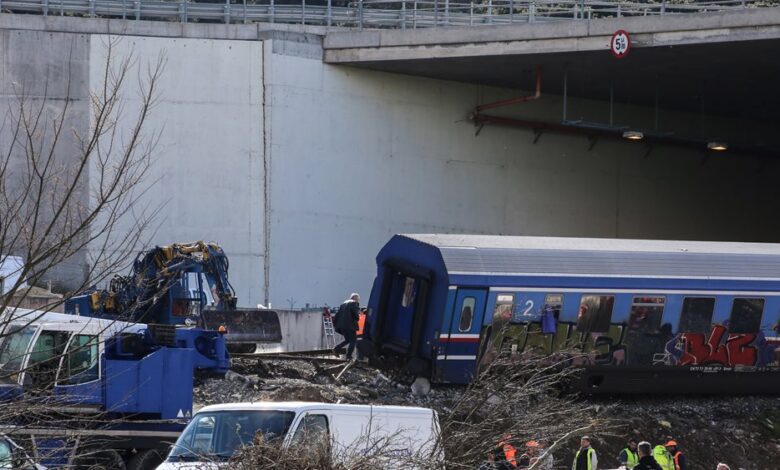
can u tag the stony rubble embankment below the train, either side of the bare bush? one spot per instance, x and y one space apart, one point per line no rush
741 431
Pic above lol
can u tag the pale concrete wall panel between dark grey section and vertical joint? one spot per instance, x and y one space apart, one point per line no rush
207 166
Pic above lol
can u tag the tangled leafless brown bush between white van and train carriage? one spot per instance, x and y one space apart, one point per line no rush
516 399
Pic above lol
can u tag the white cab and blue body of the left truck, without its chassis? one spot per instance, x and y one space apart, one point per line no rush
104 365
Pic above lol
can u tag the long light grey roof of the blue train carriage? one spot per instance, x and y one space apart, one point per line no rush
466 256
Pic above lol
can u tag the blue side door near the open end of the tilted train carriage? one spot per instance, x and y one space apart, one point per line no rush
458 349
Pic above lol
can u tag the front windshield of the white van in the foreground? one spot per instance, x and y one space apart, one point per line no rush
219 434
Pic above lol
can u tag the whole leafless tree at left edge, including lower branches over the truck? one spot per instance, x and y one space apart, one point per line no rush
74 167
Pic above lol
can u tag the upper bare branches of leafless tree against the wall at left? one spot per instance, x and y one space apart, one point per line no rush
65 184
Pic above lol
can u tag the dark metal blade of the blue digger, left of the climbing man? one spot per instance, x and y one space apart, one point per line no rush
245 325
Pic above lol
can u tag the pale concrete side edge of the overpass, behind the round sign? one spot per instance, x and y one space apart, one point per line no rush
555 37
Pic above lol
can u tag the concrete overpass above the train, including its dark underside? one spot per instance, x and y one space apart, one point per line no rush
721 63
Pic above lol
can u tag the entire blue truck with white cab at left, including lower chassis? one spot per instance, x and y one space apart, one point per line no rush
126 388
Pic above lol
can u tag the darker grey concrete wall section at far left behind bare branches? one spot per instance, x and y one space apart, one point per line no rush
40 71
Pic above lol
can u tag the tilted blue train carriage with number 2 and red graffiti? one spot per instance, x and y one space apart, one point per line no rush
700 316
